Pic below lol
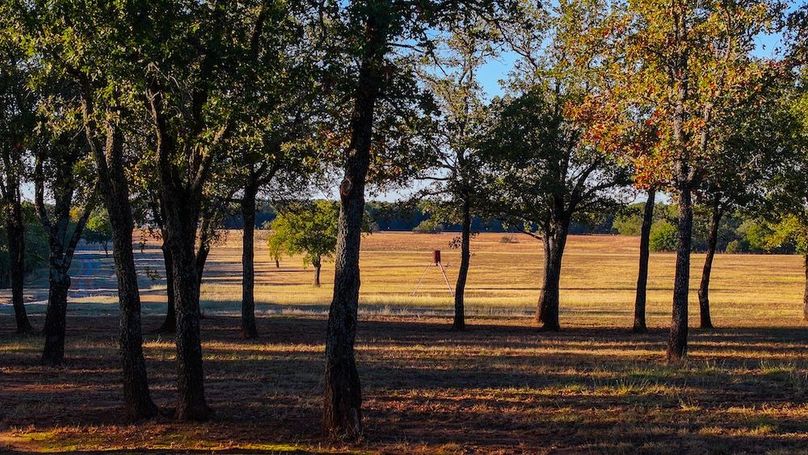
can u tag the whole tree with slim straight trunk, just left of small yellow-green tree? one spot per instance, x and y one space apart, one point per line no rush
275 144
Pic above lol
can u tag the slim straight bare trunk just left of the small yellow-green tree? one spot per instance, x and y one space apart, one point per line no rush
248 328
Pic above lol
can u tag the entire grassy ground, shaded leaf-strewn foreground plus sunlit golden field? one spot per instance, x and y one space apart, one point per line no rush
502 386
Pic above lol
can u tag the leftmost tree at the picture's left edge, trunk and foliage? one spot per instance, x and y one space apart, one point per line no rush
17 121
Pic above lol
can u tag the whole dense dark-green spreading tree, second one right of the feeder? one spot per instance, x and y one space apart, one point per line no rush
547 172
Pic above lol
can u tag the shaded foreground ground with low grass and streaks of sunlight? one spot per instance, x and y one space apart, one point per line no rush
501 387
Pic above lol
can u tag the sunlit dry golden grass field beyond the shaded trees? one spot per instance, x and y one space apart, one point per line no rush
598 279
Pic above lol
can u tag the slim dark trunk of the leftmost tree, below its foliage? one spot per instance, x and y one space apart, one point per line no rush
15 229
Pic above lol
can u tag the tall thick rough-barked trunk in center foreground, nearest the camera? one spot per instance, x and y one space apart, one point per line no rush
342 409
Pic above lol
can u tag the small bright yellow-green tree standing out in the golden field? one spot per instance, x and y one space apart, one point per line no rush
310 231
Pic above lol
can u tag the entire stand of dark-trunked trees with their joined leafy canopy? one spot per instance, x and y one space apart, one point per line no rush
174 111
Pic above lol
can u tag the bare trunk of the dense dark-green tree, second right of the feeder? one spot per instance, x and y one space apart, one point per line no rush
554 241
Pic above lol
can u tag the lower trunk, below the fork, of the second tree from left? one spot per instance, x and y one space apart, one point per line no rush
55 316
